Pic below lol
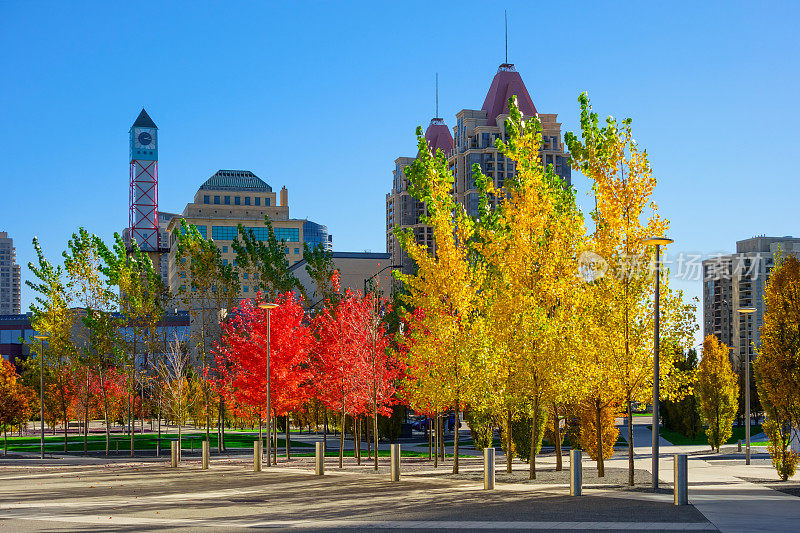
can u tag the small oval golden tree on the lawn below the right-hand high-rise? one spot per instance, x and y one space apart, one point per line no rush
717 390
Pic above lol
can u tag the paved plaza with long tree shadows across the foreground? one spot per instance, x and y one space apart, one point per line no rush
75 493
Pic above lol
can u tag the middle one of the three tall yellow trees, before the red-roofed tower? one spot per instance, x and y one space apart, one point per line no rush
529 243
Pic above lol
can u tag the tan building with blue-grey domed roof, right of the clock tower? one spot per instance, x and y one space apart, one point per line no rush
232 197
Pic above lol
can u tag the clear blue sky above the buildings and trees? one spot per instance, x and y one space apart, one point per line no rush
323 96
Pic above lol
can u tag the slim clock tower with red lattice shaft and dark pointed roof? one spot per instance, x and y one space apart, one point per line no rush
143 199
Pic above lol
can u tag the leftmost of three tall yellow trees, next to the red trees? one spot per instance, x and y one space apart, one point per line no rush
443 290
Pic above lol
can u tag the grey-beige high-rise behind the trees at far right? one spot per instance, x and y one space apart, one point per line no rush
731 282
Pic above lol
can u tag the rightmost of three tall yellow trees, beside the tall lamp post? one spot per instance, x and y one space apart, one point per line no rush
620 351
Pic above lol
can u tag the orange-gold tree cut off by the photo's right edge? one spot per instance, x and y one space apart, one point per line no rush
777 367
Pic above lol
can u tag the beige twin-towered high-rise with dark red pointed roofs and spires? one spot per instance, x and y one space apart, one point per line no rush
472 143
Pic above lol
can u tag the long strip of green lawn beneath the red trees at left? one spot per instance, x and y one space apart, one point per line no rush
147 441
